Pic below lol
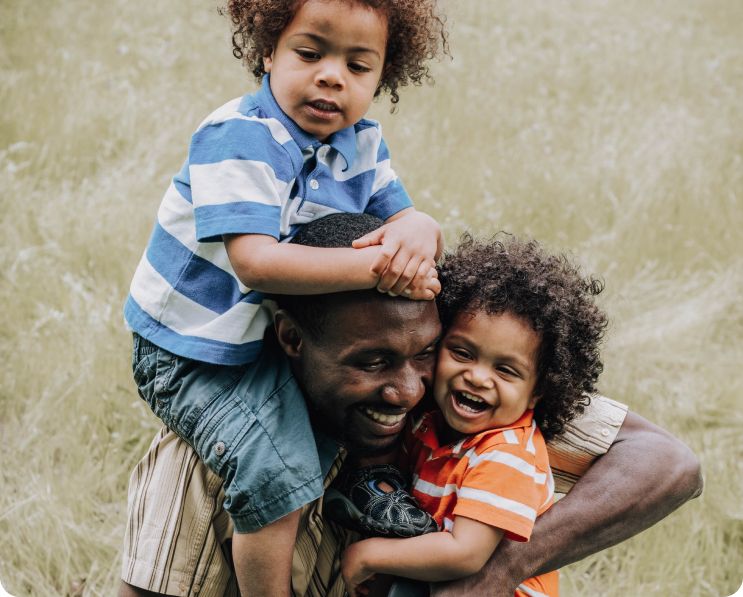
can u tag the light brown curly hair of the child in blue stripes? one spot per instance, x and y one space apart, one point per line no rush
416 34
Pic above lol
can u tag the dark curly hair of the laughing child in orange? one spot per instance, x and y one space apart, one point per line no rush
506 274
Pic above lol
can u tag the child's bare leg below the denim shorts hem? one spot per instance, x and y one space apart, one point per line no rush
263 559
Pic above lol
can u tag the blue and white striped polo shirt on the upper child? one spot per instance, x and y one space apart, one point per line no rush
250 170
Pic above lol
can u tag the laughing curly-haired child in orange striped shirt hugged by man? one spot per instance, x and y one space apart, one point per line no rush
519 355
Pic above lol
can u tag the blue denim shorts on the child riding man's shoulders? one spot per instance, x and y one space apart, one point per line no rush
249 424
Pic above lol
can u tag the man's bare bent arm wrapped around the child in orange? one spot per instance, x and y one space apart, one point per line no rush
646 474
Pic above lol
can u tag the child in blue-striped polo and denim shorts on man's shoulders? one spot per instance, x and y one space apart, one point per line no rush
258 168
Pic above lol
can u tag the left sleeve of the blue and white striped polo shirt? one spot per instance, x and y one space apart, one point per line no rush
239 176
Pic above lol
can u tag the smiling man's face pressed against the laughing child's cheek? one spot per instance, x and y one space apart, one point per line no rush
371 365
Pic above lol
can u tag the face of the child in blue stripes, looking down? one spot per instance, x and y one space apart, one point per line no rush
327 64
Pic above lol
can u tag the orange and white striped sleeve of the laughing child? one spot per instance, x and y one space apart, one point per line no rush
504 489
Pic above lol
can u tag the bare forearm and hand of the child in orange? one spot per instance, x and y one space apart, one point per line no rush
431 557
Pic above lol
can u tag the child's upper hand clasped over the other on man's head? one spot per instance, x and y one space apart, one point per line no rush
411 244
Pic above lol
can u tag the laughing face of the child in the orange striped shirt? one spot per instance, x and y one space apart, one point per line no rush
487 371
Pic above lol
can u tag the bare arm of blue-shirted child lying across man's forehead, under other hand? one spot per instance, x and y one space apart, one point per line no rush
264 264
